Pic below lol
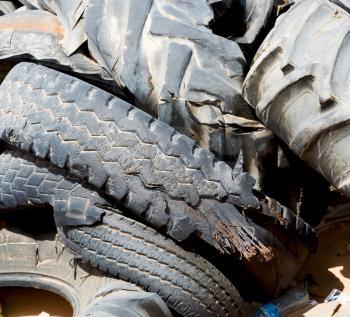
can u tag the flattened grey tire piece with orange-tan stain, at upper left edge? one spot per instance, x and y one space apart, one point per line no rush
37 37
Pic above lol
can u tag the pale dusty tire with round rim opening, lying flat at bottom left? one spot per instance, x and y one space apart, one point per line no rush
44 263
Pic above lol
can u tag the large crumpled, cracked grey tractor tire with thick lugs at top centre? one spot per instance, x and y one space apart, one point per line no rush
169 59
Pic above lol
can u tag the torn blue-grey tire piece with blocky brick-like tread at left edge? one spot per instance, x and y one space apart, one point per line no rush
26 181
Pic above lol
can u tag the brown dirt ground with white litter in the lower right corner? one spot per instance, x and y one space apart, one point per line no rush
329 267
